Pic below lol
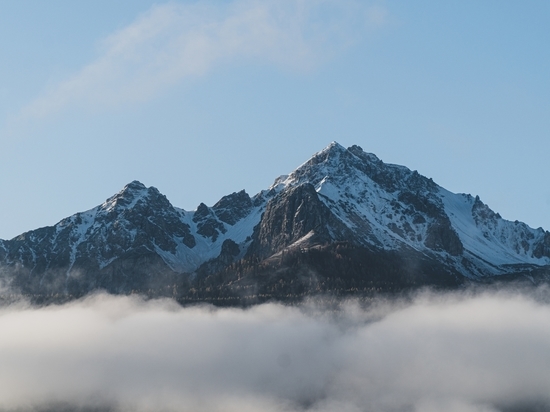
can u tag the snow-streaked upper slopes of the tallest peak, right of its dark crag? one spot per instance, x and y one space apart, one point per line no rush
393 206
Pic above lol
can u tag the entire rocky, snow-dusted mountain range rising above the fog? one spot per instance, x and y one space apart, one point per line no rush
343 222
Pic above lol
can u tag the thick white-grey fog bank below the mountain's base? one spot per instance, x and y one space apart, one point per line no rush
484 352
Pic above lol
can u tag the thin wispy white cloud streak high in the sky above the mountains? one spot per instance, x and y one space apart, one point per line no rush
174 41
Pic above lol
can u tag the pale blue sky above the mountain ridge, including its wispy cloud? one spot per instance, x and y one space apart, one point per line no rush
201 99
